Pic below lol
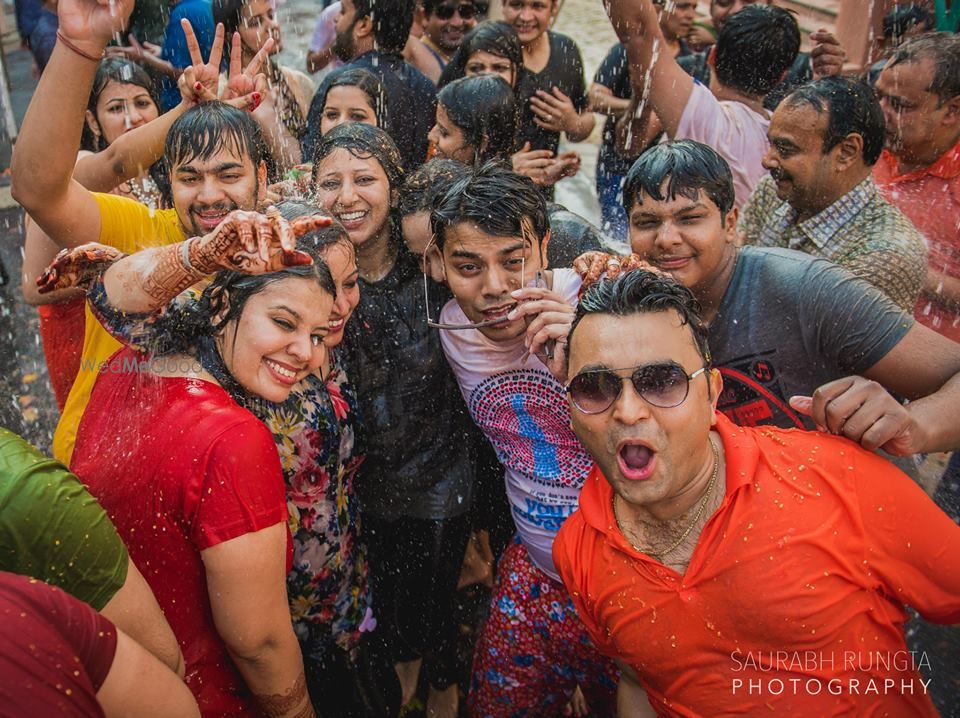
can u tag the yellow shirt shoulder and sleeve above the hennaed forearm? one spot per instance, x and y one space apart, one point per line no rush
130 226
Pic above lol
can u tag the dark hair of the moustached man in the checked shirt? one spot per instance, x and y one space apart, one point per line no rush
851 107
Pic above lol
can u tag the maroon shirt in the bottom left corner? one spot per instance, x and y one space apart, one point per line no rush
55 651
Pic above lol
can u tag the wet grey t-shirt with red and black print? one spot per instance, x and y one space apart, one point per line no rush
789 323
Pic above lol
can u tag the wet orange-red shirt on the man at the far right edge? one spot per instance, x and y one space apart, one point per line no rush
930 197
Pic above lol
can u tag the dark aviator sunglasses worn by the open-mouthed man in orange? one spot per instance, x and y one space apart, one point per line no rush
661 385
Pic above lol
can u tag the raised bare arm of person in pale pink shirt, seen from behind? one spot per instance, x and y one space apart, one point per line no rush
638 26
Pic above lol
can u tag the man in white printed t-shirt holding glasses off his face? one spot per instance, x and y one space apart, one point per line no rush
491 233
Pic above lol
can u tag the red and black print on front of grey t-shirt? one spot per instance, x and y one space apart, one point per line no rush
752 393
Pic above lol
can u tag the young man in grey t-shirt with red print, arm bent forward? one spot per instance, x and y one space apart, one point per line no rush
783 325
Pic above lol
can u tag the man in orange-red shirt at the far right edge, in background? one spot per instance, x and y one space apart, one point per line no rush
919 171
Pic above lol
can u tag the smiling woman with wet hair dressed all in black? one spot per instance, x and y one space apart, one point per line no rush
416 482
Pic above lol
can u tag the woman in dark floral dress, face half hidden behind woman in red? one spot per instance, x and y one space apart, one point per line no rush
319 435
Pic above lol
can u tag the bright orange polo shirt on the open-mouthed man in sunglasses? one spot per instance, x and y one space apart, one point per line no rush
793 602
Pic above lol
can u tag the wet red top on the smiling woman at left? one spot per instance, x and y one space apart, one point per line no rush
180 467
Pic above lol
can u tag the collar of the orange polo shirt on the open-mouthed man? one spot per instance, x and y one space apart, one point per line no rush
741 454
